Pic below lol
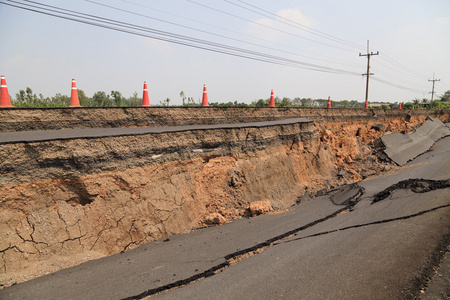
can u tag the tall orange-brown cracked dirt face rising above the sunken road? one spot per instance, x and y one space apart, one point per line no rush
64 202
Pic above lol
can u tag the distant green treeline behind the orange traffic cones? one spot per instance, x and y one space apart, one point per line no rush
26 98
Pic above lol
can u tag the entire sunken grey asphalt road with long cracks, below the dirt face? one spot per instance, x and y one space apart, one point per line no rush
342 245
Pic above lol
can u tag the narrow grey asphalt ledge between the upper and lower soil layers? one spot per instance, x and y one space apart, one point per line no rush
64 134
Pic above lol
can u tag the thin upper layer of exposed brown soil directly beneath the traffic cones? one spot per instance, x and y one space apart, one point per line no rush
13 119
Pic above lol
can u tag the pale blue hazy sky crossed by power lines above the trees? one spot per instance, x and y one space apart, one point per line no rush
298 48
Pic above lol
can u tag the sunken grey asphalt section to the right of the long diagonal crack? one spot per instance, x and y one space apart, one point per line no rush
372 252
